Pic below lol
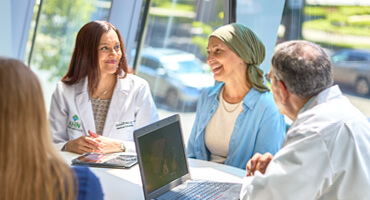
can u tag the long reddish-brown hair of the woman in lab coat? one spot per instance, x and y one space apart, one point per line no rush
85 56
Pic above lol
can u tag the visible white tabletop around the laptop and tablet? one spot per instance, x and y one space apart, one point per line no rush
121 184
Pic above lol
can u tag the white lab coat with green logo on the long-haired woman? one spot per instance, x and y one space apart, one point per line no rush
131 107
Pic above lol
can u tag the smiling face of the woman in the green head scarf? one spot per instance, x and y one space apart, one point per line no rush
223 61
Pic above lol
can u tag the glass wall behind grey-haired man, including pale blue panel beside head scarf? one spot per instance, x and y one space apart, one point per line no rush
341 27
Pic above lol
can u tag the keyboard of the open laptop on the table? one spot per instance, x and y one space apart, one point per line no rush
201 190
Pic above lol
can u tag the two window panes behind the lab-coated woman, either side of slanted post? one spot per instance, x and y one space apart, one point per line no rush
173 54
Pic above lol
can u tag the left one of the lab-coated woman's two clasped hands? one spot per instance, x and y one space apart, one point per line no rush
83 144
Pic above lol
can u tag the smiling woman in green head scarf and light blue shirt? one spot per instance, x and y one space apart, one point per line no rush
237 117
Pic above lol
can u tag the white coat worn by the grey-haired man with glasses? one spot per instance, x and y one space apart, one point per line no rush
325 155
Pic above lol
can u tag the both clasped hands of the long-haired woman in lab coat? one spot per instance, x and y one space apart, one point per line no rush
93 144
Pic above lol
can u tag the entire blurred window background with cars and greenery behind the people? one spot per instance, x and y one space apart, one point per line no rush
166 40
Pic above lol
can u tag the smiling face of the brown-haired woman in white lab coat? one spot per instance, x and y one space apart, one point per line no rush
110 53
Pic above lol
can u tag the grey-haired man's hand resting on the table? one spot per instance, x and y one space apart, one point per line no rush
258 162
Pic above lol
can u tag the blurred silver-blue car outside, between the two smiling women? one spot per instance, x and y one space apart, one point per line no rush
176 77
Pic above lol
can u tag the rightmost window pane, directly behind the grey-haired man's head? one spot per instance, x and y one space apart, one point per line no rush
342 28
